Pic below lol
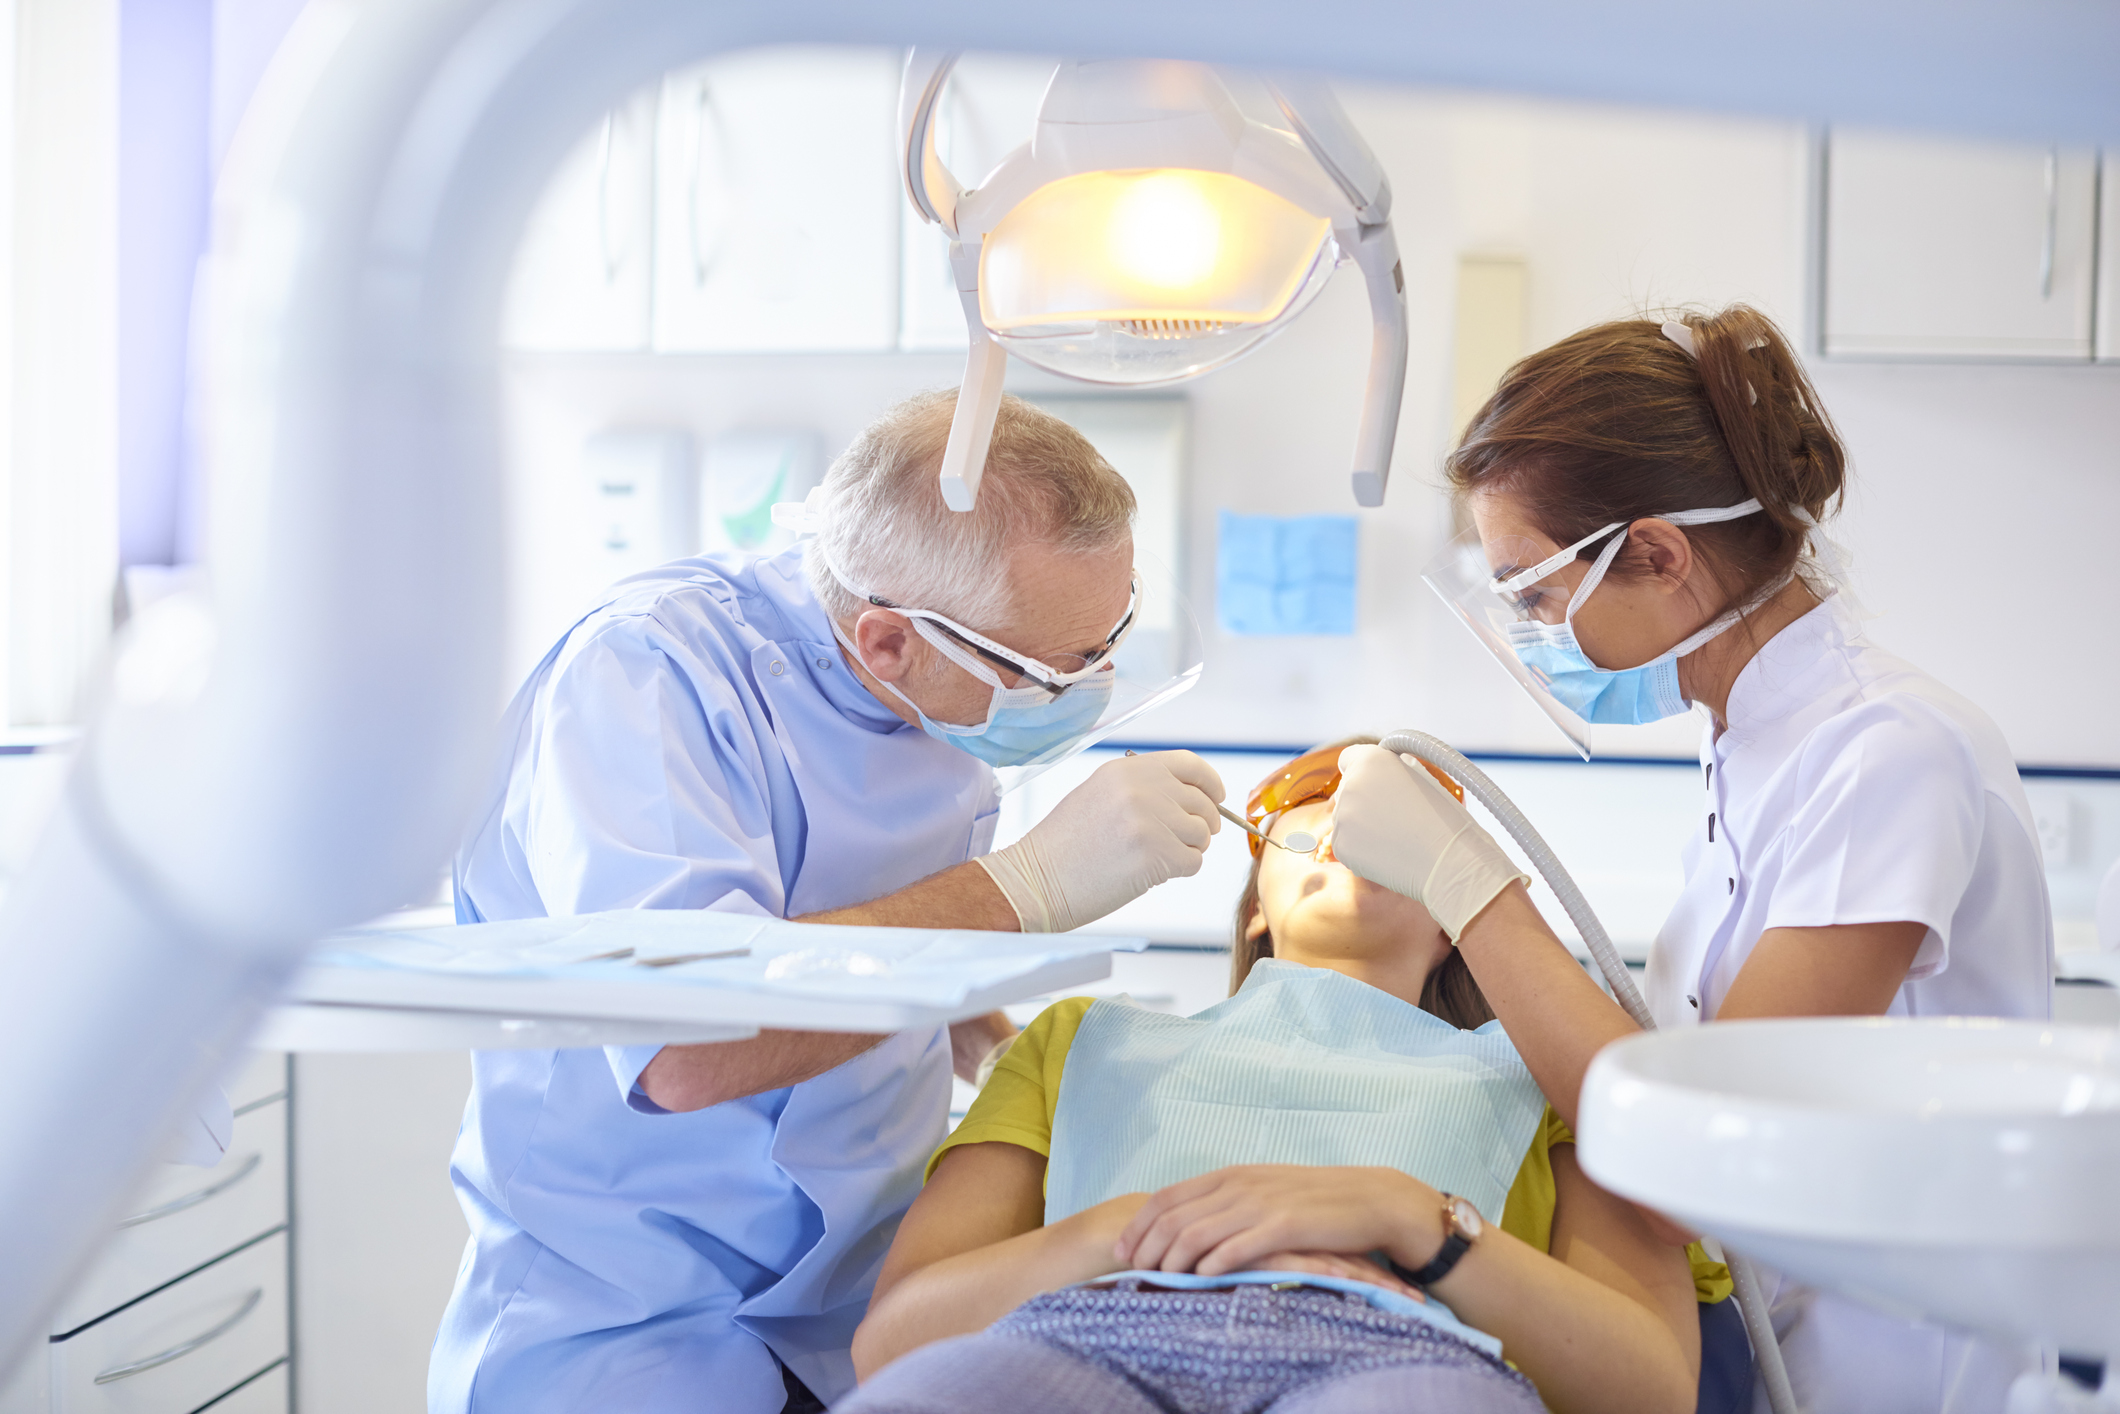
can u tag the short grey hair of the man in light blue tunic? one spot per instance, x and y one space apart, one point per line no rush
889 533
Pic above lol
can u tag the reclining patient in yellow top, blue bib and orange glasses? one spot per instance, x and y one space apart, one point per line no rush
1337 1190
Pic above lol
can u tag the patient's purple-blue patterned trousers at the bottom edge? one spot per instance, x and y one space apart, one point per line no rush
1239 1351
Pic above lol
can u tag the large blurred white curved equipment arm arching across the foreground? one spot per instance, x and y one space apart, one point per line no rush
298 754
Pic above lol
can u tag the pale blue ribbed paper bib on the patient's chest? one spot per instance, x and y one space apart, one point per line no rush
1301 1067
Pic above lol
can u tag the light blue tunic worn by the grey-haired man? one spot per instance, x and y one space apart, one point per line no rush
694 743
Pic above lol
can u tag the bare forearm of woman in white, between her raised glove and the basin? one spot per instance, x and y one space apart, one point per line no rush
1555 1014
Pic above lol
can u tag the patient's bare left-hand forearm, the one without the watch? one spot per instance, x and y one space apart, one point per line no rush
974 1290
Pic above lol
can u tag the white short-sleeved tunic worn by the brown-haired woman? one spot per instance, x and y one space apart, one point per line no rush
1852 788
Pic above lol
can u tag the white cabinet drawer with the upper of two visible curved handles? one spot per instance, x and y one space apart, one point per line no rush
190 1216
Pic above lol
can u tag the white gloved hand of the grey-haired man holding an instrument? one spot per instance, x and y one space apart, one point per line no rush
1133 826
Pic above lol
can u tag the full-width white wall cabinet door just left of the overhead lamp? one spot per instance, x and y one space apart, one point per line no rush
777 224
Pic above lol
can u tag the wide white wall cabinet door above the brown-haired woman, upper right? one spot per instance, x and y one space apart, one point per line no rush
1958 251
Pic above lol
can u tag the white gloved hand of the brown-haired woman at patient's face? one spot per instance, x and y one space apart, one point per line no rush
1398 828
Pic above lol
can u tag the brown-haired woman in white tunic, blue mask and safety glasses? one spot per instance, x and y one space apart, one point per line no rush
1648 501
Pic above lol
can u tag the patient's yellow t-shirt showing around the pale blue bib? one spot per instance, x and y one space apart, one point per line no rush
1019 1103
